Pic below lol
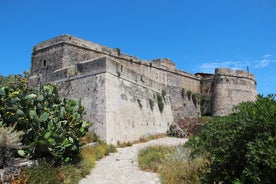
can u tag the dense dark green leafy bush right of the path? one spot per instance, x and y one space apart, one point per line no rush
241 146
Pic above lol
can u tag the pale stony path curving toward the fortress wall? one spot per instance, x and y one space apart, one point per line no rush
122 167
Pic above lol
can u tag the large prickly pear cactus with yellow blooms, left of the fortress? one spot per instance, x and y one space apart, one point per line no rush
52 127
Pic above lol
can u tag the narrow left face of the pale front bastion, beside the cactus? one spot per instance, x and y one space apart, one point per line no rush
91 90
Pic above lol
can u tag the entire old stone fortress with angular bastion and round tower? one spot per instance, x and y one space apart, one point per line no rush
127 98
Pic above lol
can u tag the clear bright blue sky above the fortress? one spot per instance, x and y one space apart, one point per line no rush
198 35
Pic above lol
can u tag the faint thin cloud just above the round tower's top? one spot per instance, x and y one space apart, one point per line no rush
210 67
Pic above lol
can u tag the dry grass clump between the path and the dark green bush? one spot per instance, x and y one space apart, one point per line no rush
173 164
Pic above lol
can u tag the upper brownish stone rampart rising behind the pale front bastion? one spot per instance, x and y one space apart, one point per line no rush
65 50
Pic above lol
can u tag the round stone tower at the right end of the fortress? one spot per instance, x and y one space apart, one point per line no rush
231 88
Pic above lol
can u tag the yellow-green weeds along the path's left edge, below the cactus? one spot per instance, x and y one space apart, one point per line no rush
48 173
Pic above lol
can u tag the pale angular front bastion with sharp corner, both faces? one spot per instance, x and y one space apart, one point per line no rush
117 104
